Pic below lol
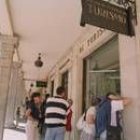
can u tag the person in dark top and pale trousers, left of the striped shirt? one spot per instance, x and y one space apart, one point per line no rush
33 115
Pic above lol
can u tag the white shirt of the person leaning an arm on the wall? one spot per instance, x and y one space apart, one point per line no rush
116 105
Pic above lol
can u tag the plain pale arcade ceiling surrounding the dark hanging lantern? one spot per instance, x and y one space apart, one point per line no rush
48 26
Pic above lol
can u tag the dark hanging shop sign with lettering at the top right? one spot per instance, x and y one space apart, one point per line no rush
106 15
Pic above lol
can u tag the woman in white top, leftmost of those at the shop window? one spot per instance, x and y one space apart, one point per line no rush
88 132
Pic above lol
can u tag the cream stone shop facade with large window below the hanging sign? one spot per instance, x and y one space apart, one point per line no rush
101 61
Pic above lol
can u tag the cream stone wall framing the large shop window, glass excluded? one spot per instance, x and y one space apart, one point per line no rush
92 39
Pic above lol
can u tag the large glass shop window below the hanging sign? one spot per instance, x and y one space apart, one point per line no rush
101 72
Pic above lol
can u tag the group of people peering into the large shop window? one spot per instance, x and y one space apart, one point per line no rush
103 120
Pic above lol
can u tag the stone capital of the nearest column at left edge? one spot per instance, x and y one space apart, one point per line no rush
12 40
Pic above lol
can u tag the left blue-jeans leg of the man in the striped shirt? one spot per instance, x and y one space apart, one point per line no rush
50 134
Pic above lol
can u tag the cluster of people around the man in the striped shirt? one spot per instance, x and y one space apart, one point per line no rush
50 119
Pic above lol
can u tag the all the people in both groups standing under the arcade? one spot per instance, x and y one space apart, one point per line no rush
50 119
